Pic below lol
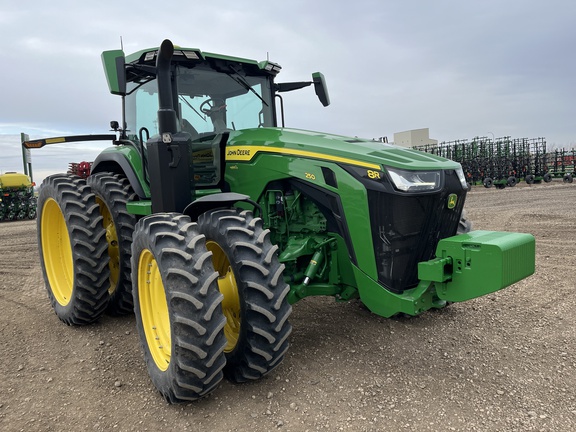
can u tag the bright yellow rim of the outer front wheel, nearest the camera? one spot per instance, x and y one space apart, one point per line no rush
154 310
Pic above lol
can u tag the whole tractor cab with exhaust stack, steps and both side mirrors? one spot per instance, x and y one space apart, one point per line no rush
180 106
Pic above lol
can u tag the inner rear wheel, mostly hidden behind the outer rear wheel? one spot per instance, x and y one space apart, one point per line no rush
112 193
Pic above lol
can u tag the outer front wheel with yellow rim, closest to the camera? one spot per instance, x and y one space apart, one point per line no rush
177 307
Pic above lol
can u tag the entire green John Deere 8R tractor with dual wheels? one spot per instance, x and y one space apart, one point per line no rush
208 219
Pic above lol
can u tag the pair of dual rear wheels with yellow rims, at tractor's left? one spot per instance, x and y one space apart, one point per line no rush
84 237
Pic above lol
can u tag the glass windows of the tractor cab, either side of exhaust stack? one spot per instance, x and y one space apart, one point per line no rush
209 102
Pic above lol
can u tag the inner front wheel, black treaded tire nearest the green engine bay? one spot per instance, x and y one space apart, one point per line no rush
255 294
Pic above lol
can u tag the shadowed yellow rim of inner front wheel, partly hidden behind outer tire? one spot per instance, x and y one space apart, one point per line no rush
229 289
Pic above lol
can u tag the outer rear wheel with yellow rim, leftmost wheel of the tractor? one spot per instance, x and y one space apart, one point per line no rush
73 249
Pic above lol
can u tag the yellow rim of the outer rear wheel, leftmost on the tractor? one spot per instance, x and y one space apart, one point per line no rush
57 252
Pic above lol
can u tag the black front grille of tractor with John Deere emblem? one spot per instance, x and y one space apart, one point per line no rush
406 229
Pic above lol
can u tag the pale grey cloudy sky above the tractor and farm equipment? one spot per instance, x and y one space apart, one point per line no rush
462 68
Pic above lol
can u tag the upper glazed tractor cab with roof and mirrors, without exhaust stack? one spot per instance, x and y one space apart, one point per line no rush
211 93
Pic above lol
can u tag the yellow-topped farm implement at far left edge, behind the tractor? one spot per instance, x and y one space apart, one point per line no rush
17 200
